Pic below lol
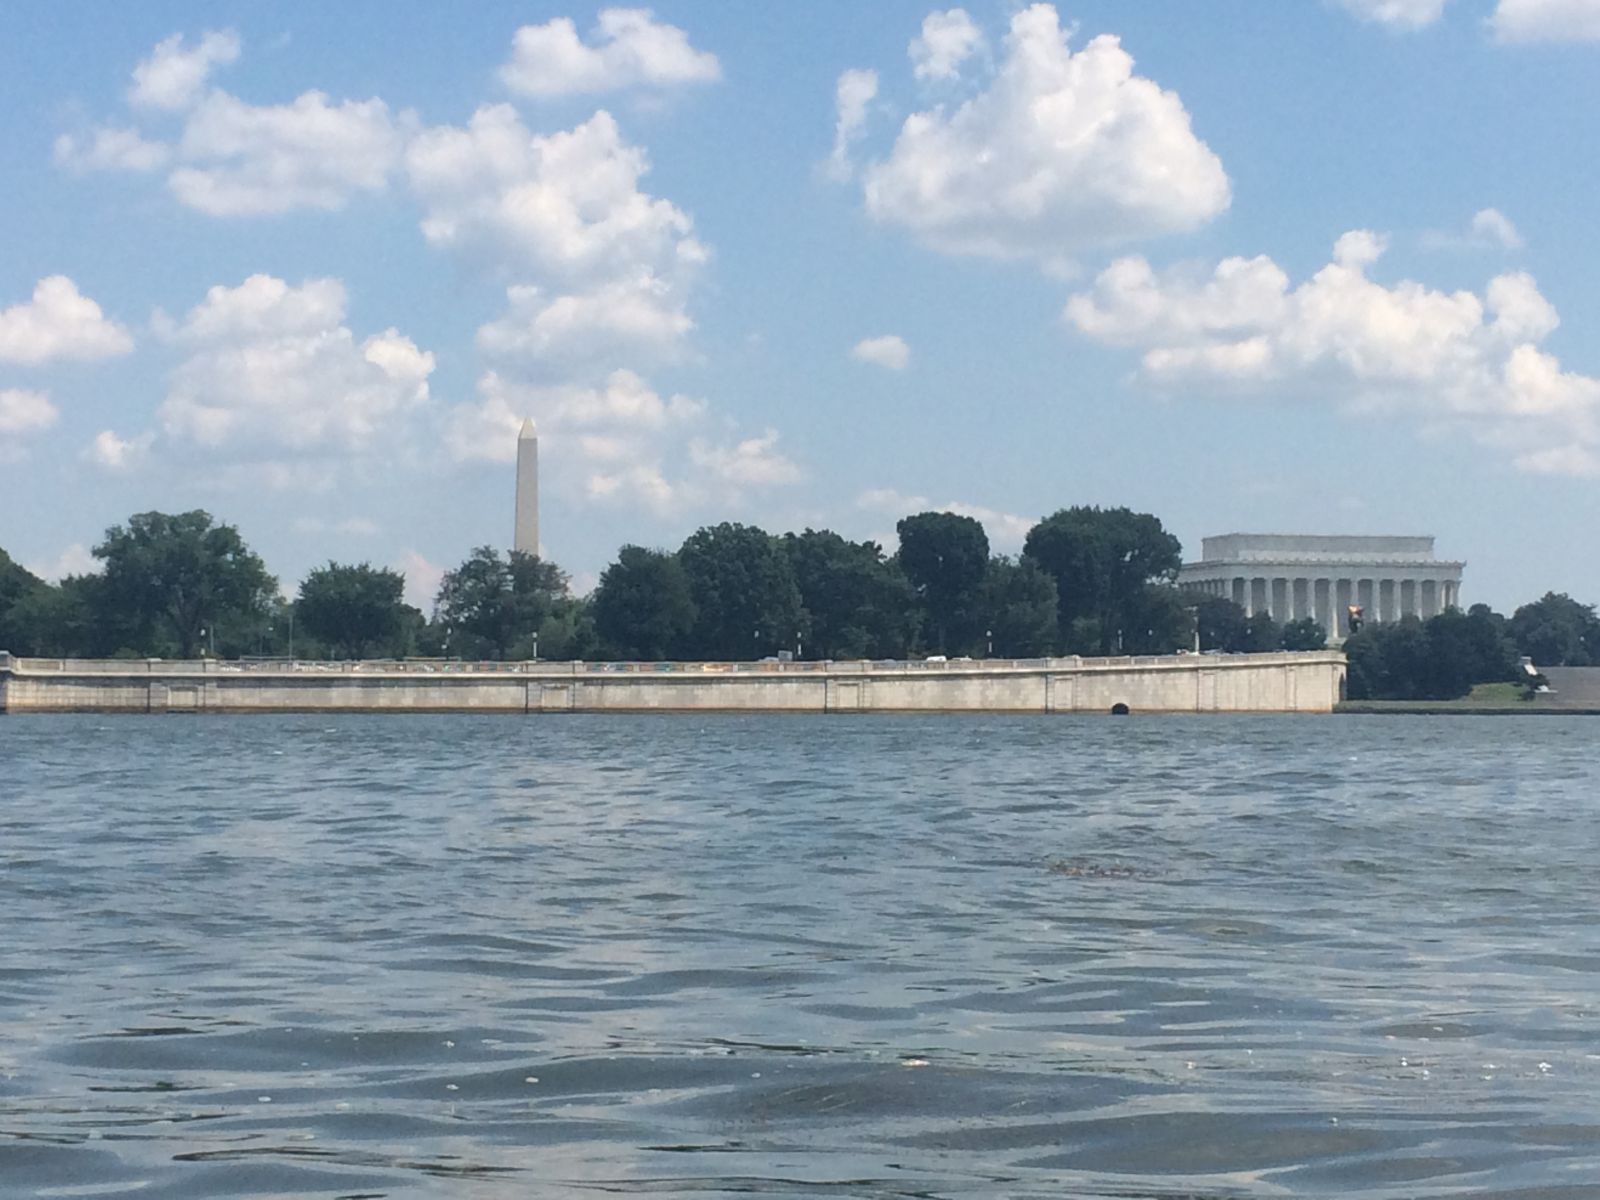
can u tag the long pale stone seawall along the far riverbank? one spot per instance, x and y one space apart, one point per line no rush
1302 682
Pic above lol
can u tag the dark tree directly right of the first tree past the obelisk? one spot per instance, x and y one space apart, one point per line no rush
745 593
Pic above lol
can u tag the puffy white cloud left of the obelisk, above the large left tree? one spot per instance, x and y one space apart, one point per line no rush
274 366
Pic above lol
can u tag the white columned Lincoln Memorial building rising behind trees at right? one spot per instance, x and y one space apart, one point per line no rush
1294 577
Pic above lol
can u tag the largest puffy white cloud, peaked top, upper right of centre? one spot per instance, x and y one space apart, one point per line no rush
1063 153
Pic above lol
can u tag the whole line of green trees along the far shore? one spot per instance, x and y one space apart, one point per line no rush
1089 582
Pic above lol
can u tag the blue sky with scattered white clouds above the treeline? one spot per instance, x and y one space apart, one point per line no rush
1311 266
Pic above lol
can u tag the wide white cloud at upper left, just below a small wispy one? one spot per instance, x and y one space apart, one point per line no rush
250 161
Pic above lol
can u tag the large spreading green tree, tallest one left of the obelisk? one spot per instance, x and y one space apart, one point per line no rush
180 574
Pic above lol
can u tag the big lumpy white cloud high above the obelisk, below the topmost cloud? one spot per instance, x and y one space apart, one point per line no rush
602 268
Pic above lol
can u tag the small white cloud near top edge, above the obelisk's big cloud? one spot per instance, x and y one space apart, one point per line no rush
630 49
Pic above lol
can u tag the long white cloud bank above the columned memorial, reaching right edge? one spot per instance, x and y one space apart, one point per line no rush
1447 359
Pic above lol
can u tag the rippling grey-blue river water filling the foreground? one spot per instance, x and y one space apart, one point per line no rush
799 958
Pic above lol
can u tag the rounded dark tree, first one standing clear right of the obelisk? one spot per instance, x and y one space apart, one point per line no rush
642 606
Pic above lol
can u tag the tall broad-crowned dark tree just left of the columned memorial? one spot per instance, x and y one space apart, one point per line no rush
1103 561
